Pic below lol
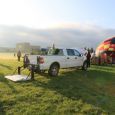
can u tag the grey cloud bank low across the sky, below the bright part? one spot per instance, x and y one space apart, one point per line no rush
83 36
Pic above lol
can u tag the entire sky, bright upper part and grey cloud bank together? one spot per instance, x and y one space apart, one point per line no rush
83 19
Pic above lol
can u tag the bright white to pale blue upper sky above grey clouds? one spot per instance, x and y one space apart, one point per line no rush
53 13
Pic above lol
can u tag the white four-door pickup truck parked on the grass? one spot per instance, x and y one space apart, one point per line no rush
56 59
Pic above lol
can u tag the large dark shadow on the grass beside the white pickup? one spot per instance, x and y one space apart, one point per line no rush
85 85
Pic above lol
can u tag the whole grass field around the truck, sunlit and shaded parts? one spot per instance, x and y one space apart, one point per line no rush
73 92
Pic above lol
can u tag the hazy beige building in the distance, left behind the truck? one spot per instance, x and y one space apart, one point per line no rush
25 47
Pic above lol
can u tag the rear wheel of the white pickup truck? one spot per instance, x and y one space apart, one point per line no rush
54 70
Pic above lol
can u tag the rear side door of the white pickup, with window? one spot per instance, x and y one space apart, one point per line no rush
70 58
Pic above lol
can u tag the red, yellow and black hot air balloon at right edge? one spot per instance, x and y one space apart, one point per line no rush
106 50
